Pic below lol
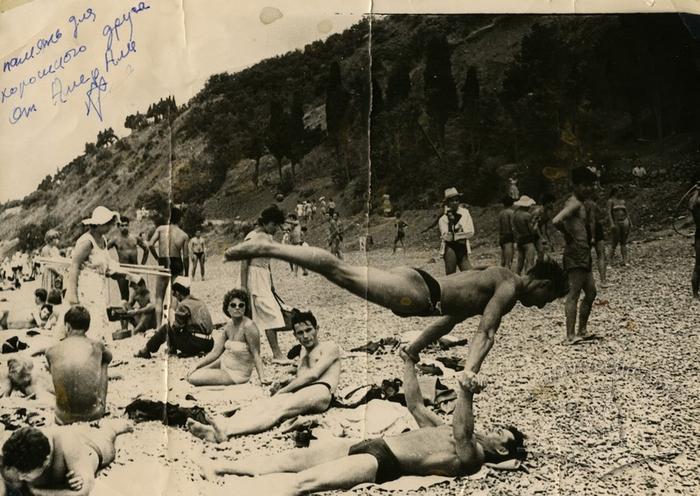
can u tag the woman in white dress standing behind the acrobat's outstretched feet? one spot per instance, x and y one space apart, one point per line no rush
256 279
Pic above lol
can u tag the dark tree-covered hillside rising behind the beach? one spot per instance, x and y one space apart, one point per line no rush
455 101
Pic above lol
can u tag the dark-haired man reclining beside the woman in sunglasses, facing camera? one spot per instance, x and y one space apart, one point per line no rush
310 391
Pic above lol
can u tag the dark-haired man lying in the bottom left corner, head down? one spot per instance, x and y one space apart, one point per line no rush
59 461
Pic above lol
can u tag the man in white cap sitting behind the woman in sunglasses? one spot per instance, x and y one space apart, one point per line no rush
191 331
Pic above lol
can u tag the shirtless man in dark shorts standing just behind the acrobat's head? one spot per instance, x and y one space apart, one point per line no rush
572 221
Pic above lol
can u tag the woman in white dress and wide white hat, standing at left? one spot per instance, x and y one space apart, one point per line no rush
90 266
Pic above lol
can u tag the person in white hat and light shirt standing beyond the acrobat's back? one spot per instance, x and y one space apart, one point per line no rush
456 227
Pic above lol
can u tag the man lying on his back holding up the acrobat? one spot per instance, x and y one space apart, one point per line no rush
435 448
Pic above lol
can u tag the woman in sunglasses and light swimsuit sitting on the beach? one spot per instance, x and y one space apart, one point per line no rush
236 349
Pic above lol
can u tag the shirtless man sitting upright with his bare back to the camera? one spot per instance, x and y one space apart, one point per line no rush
78 366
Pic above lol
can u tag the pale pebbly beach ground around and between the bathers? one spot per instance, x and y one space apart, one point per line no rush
616 416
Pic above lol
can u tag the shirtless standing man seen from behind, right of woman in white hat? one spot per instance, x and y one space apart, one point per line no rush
172 254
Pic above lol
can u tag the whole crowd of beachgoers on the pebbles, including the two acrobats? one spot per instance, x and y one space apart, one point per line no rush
73 302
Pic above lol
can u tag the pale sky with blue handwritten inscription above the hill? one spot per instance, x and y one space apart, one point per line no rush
50 103
